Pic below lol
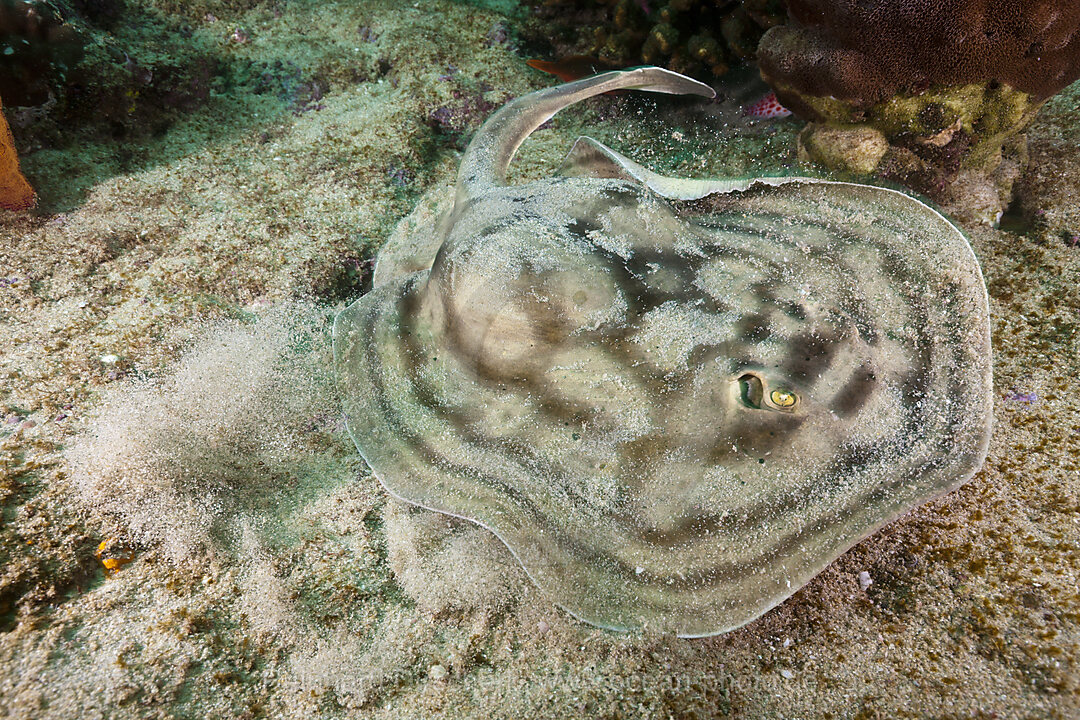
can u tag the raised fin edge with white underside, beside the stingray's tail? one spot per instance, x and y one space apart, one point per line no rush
589 158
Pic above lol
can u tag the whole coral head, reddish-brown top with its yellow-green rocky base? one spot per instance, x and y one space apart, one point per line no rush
950 86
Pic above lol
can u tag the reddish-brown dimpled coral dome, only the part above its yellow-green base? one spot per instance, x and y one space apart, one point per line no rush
862 52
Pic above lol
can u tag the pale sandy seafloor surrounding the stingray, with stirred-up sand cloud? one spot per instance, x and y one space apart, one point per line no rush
166 386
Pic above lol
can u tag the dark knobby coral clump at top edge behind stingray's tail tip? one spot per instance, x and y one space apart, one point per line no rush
700 38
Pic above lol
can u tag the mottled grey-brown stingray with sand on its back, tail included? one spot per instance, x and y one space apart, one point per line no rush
676 401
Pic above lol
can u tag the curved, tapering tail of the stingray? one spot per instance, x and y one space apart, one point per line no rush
491 152
